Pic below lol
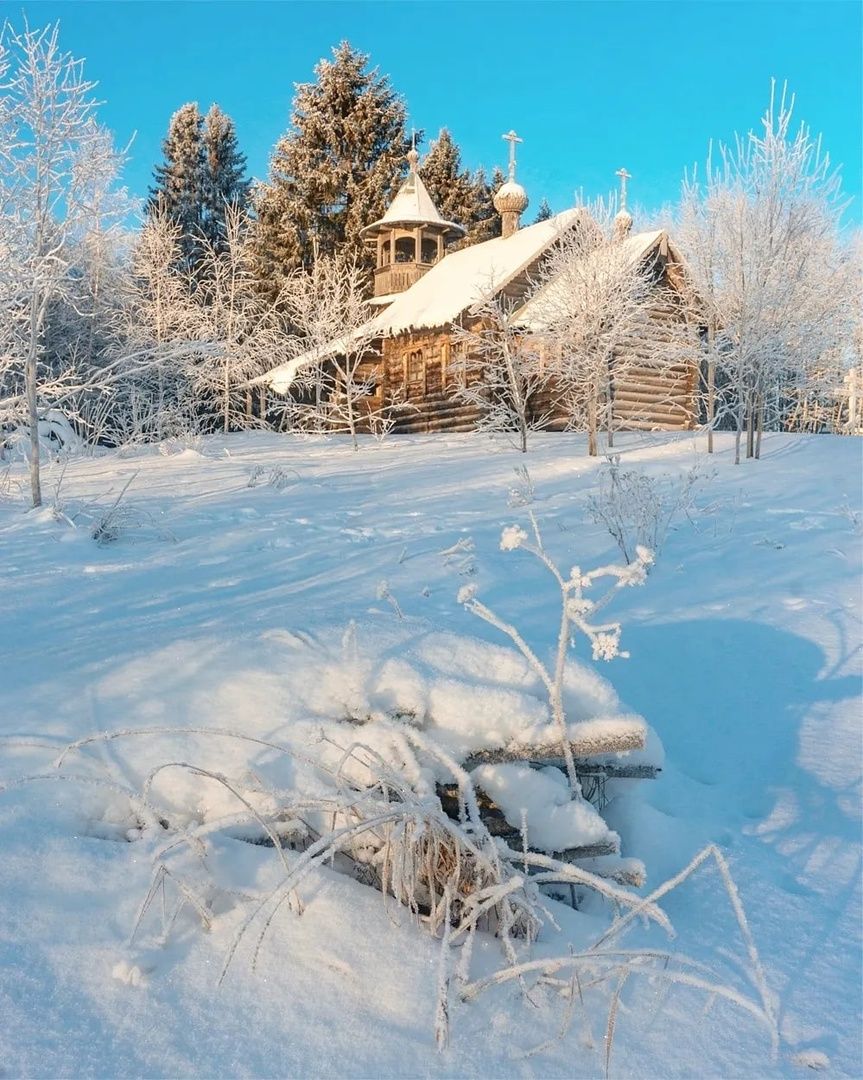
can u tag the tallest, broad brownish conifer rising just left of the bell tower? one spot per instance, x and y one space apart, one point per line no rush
335 171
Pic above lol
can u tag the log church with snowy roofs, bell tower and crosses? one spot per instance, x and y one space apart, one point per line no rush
422 292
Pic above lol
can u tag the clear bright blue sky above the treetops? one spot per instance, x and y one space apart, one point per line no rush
590 87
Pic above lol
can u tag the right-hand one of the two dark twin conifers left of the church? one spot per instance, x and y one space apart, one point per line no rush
225 184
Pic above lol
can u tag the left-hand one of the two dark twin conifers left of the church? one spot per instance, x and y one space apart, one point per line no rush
180 181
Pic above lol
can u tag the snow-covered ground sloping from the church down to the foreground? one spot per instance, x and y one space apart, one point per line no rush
224 602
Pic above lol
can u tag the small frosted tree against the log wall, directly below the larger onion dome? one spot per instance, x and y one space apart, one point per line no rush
502 374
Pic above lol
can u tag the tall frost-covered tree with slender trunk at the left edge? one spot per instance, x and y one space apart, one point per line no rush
57 168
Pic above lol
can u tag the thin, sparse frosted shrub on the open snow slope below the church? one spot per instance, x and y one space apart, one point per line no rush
638 509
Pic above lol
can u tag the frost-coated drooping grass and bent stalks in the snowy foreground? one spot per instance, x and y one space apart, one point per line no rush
372 817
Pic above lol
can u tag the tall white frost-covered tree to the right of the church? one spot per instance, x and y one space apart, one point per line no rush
768 267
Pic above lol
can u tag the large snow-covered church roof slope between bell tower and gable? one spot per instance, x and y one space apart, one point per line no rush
470 276
